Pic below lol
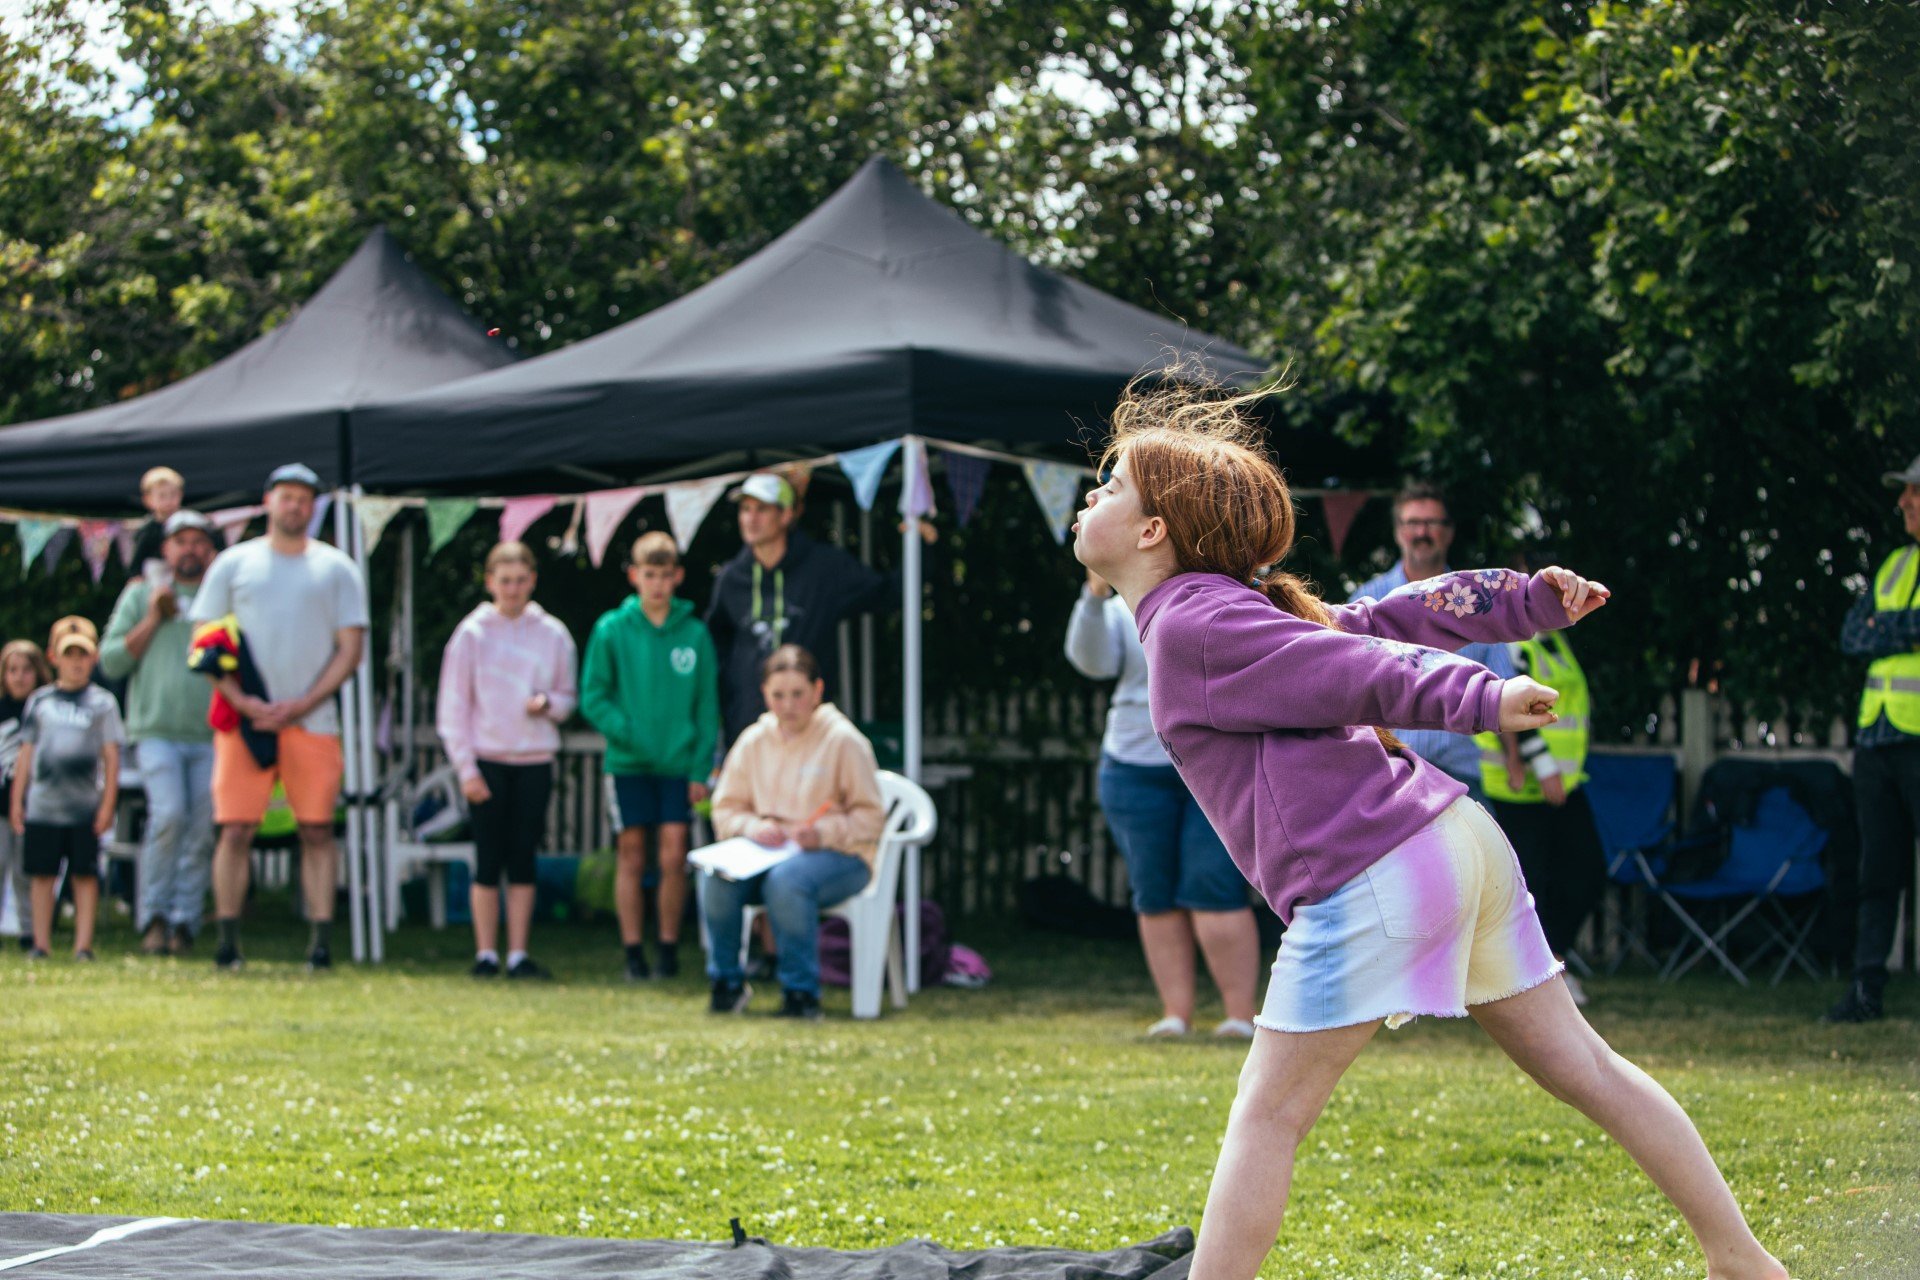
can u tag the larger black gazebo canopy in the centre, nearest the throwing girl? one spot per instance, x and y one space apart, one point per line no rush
878 316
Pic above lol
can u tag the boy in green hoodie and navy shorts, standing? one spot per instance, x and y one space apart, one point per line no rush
652 688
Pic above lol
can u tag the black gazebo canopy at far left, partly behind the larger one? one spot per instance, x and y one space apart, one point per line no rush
375 331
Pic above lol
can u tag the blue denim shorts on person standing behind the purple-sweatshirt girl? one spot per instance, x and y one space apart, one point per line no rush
1174 857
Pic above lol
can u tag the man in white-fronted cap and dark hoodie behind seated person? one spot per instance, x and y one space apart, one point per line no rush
784 590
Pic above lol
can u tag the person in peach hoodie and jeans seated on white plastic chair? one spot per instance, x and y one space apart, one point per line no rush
800 772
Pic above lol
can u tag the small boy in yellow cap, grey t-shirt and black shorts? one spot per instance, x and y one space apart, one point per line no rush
66 784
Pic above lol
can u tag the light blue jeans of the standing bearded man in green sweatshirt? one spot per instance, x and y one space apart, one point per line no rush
178 853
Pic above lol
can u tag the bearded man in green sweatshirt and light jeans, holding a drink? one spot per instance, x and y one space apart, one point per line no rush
168 726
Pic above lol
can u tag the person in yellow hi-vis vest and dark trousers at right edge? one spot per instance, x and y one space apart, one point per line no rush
1884 627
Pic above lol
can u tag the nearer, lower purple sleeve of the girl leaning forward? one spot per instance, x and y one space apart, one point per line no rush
1264 669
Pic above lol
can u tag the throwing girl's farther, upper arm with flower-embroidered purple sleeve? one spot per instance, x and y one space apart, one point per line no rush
1476 605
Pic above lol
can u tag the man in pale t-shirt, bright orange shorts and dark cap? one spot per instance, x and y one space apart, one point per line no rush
302 611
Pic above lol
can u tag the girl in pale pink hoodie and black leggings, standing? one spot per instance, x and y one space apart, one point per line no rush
506 688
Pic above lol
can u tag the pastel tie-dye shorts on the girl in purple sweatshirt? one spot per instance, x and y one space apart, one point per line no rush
1439 924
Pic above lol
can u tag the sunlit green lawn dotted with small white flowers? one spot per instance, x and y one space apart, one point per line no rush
1024 1114
